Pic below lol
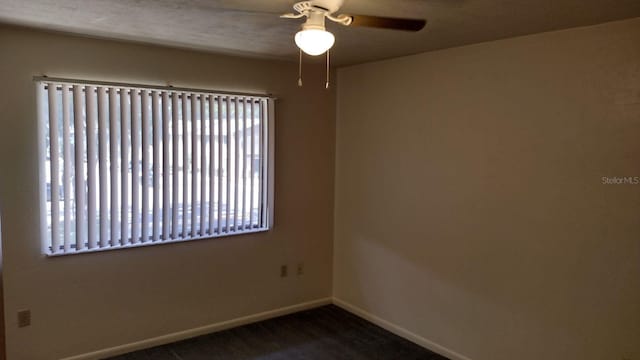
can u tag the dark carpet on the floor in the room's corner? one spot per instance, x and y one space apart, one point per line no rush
327 333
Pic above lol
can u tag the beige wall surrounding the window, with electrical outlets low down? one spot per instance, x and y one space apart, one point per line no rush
88 302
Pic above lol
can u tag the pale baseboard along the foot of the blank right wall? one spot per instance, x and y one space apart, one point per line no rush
400 331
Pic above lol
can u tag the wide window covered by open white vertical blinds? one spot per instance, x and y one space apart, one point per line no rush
130 166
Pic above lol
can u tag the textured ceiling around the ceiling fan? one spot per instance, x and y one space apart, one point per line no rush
253 28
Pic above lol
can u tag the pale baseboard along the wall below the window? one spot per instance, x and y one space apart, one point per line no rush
206 329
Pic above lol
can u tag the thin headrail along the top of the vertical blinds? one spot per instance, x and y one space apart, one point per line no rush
150 87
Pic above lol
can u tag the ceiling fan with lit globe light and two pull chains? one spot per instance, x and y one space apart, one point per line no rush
314 39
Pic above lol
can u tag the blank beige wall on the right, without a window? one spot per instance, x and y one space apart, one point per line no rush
469 203
